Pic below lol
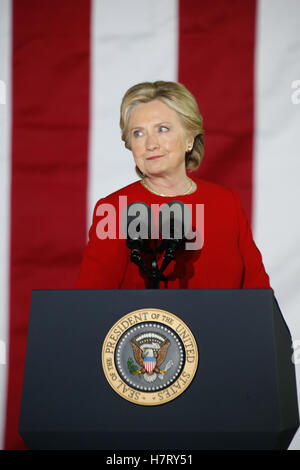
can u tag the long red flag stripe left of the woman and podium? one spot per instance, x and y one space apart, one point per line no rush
51 55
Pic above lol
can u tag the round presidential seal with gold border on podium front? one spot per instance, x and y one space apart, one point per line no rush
149 357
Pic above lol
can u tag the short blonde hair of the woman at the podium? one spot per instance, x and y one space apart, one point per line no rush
178 98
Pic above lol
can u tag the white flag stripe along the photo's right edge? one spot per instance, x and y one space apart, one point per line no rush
277 156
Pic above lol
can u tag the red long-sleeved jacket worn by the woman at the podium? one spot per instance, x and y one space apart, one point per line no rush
228 259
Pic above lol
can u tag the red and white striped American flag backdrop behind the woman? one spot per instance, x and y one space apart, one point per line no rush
64 67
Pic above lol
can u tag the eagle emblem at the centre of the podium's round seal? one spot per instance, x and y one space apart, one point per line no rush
150 351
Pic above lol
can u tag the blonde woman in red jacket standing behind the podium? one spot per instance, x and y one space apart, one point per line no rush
162 126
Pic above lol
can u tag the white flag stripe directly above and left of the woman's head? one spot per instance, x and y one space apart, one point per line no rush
131 42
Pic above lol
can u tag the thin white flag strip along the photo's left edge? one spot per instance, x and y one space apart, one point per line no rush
5 119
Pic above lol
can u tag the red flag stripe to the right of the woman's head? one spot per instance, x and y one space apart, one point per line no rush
216 63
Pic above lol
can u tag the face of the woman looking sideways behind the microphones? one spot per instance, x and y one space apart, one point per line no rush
158 139
